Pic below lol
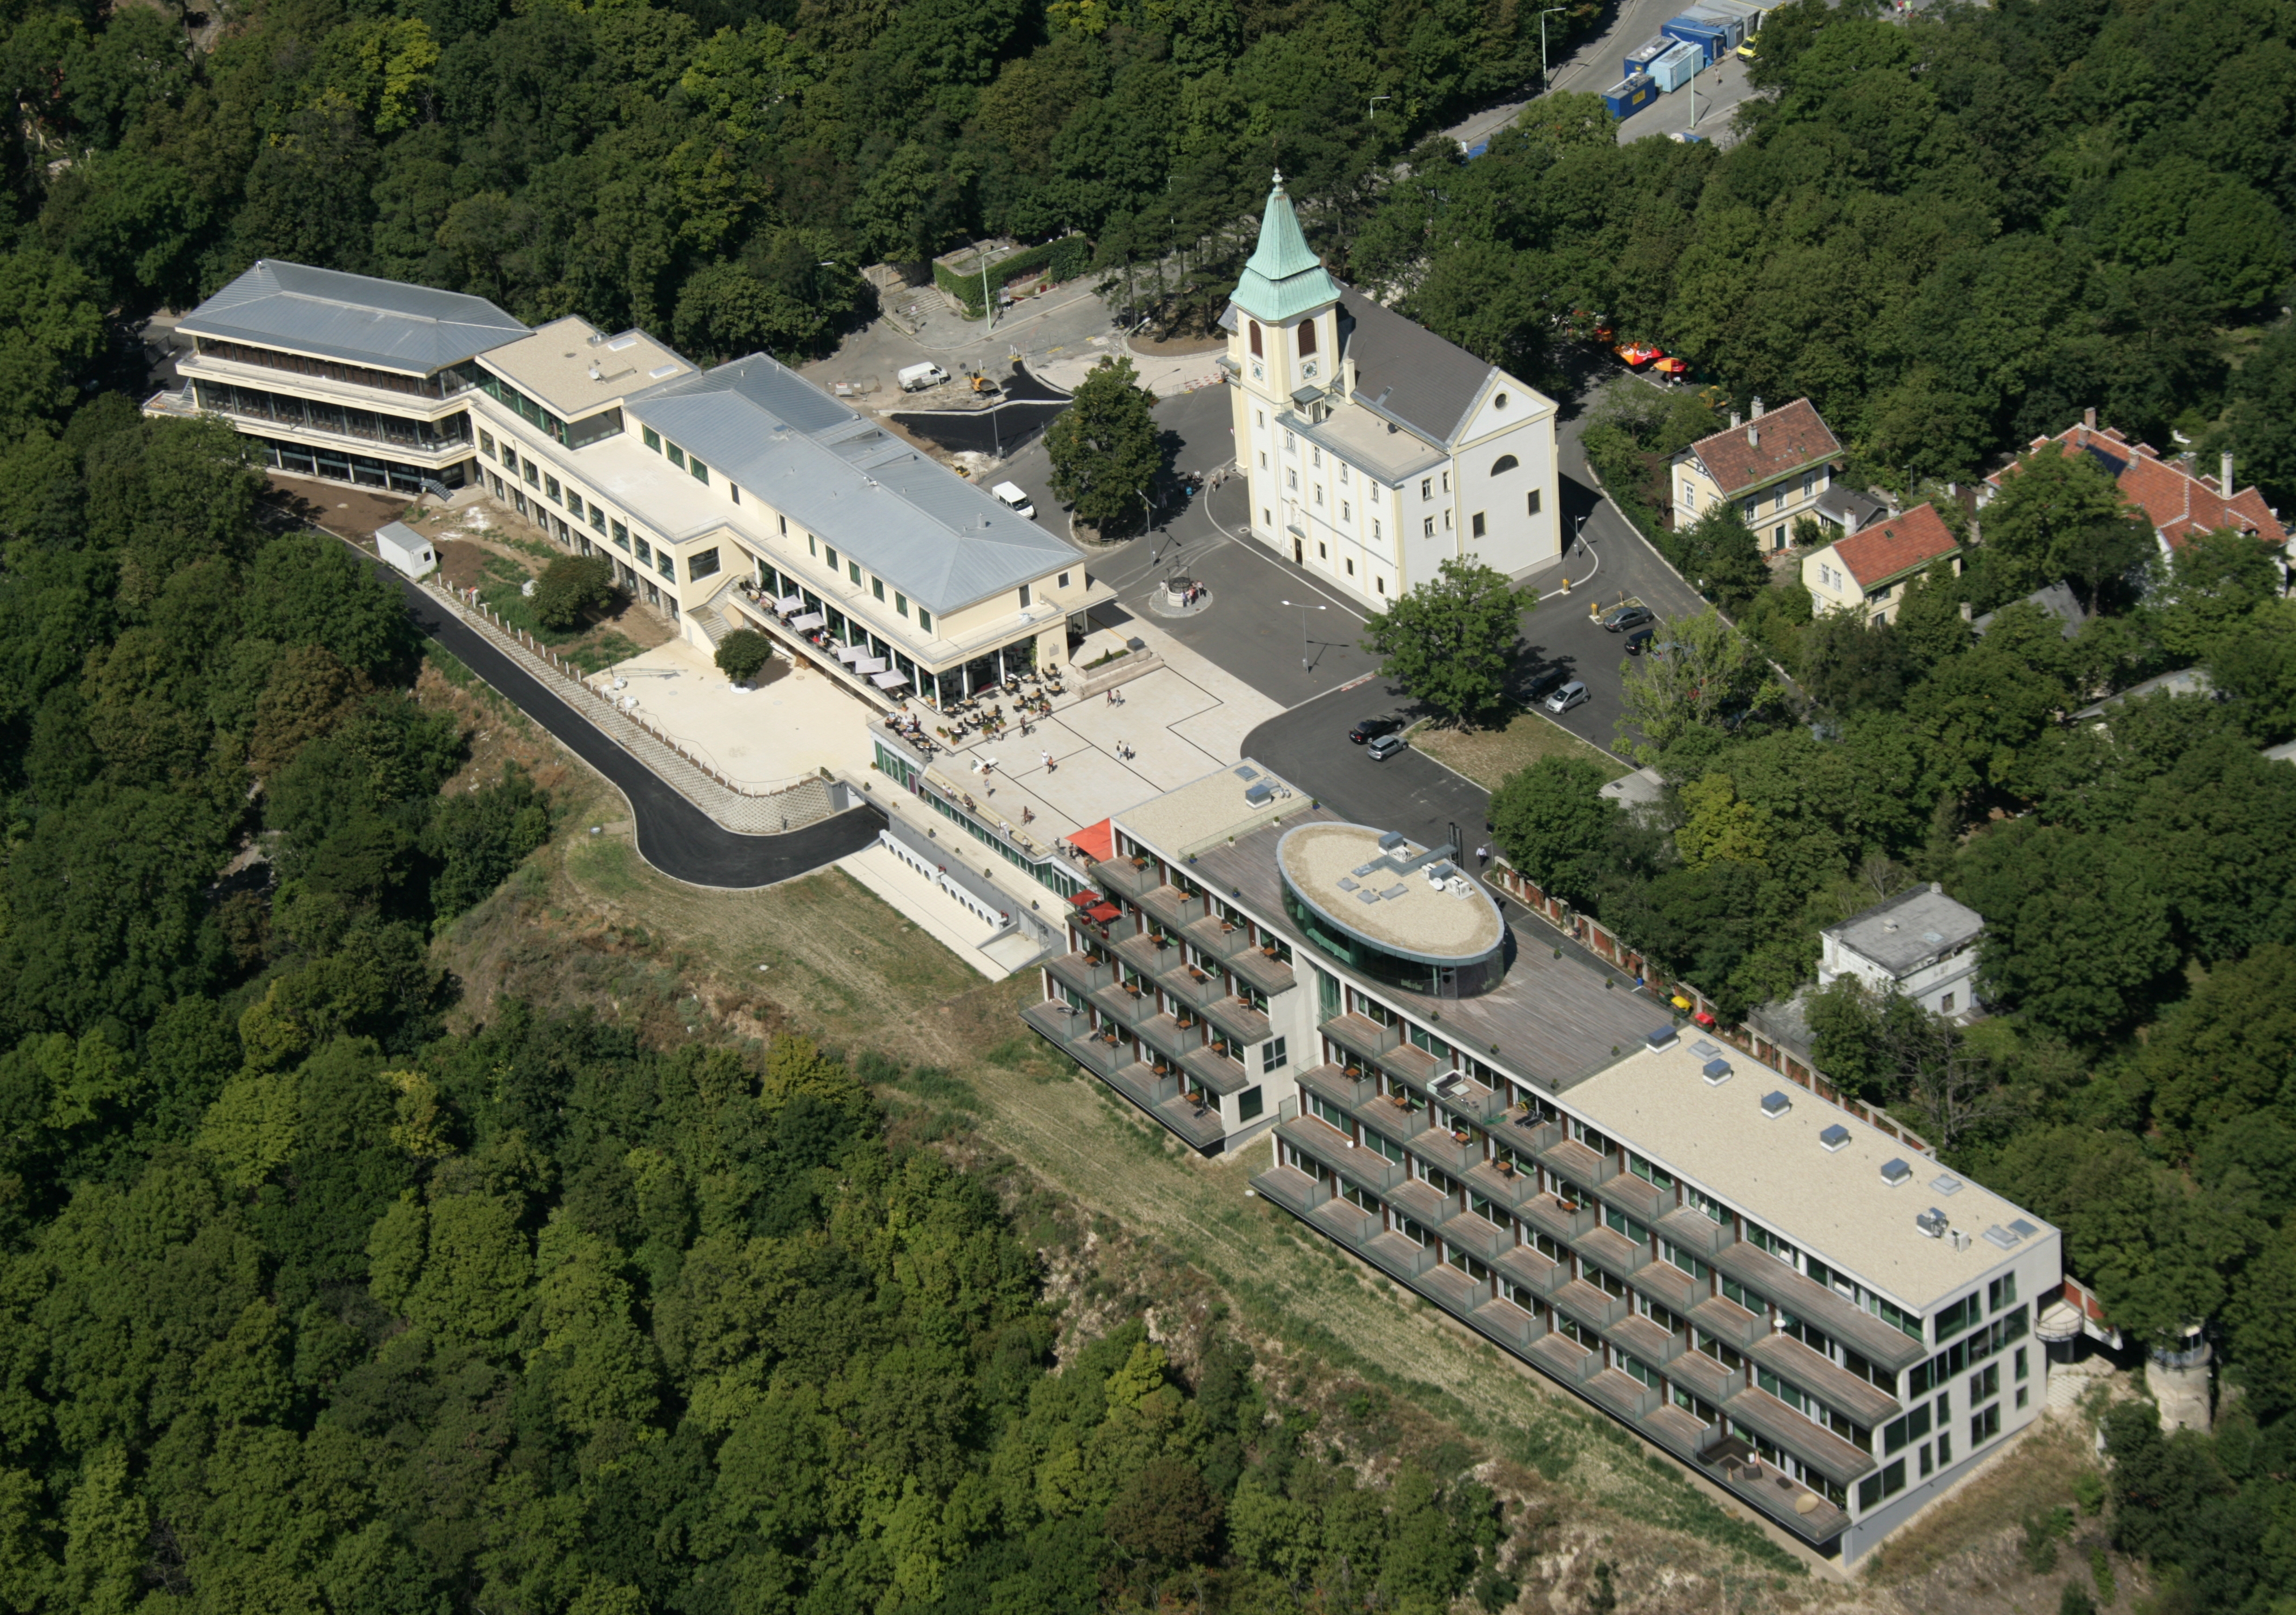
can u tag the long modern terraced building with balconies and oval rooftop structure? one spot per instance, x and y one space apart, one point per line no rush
1790 1299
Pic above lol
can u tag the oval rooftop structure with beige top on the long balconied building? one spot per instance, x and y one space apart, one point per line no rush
1393 911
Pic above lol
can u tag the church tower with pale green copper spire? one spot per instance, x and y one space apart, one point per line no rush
1282 350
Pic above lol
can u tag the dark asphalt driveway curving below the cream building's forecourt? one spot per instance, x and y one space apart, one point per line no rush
674 835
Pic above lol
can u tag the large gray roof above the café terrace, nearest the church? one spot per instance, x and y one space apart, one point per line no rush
913 523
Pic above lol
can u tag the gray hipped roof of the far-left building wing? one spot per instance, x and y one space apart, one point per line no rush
352 318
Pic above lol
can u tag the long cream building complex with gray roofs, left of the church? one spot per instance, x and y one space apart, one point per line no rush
731 497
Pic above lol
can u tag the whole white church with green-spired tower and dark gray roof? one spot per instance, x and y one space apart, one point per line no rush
1374 449
